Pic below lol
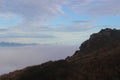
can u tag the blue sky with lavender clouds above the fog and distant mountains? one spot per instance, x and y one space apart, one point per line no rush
56 21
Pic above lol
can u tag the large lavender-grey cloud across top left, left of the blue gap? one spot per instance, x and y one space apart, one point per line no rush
32 9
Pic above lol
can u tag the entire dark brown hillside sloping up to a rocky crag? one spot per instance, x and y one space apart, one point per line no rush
97 59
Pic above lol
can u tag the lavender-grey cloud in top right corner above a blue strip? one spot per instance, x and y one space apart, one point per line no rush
95 7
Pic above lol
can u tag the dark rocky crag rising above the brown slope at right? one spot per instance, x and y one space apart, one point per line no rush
104 40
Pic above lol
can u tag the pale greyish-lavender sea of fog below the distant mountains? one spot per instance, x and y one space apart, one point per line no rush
13 58
